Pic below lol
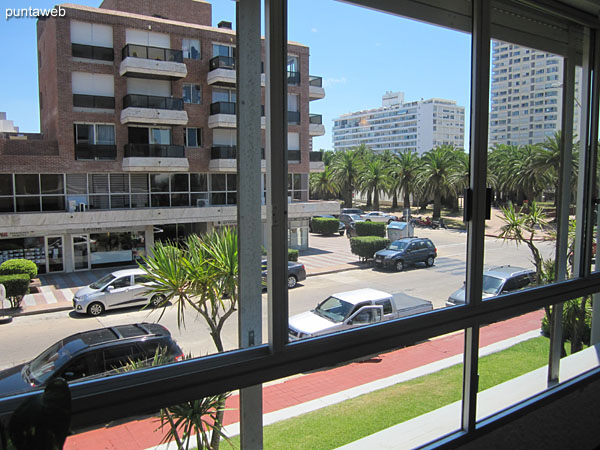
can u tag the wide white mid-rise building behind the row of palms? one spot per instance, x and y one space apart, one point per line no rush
418 126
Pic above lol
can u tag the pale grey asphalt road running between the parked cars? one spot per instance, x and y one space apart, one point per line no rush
27 336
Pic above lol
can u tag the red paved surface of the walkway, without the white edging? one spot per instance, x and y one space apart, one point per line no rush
138 435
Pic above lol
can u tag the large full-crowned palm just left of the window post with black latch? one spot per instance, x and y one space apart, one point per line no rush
437 166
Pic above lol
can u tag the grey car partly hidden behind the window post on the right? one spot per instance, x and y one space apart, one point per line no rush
497 280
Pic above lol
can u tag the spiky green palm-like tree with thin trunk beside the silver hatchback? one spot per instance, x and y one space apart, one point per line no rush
203 276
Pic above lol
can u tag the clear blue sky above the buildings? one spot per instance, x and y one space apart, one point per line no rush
360 54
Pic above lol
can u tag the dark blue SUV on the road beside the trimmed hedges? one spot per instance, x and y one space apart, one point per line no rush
407 251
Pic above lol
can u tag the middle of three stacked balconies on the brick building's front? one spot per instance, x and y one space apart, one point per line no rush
153 110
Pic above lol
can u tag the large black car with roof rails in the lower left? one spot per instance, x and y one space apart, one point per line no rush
92 354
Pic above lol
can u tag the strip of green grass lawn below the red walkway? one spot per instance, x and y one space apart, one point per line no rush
345 422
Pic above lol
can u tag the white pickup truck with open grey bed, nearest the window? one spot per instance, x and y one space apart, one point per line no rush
352 309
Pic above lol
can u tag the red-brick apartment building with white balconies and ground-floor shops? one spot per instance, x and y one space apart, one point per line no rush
138 138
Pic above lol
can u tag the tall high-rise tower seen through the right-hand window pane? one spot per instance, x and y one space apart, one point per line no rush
526 95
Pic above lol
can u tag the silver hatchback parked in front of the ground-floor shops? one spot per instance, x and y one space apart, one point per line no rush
119 289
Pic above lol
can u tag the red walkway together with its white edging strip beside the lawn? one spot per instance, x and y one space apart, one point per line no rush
308 392
